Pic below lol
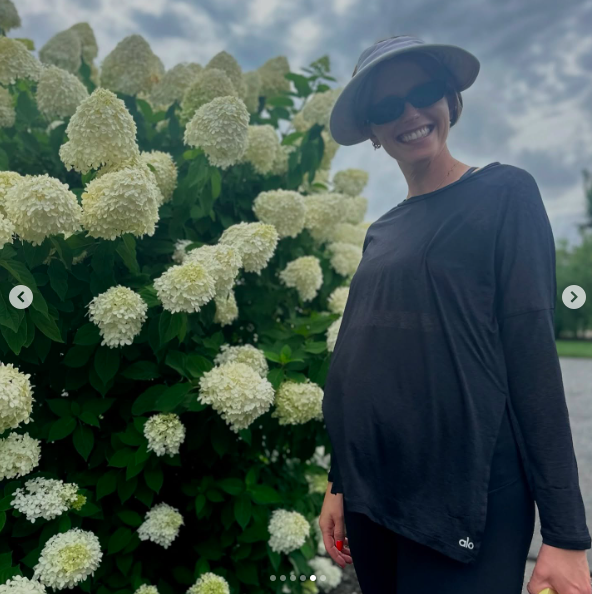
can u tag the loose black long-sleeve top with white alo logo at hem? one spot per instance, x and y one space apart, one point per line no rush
449 320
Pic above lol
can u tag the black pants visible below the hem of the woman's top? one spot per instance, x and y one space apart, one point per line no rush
389 563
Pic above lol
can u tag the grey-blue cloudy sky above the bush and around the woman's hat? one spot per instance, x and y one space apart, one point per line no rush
531 105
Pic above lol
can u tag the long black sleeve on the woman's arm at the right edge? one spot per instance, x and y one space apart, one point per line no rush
526 291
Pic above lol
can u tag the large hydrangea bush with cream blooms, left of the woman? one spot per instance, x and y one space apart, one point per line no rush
161 423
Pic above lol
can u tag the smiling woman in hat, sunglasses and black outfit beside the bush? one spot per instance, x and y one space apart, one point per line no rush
444 400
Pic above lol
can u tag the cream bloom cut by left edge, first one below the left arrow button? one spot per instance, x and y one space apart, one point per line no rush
16 397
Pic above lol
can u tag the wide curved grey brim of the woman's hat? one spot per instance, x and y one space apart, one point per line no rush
344 123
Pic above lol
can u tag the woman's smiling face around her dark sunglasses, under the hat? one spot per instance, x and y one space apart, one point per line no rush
408 75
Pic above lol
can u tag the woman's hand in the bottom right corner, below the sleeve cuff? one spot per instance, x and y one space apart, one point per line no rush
564 570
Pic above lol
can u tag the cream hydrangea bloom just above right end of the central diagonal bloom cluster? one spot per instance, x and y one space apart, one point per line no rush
284 209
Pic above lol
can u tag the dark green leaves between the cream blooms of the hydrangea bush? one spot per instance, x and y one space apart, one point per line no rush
92 401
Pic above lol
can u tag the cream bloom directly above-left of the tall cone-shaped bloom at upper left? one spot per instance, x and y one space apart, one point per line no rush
59 93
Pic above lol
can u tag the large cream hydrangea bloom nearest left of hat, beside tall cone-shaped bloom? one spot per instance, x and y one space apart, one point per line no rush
220 128
